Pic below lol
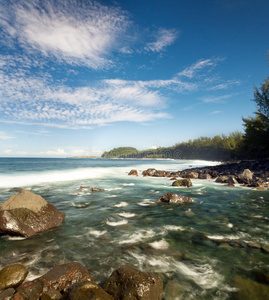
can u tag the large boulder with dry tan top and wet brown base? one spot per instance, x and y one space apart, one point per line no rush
25 214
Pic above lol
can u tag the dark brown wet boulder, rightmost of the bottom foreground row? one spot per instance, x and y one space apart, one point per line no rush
128 283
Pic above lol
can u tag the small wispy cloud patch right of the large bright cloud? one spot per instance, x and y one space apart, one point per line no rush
164 38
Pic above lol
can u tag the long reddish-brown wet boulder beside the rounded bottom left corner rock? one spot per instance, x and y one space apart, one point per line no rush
59 278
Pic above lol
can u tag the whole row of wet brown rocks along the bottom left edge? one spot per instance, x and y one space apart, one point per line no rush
71 281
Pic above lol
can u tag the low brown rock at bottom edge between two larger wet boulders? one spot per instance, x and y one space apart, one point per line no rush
87 290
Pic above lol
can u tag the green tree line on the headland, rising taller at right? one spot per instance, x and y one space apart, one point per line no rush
252 144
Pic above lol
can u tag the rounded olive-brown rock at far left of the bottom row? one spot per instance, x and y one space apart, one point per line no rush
12 276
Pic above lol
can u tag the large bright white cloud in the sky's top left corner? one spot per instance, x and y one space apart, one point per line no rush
72 31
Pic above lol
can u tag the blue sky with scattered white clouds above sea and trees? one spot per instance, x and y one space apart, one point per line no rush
82 77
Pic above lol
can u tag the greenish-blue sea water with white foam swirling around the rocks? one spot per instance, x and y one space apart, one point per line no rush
124 225
